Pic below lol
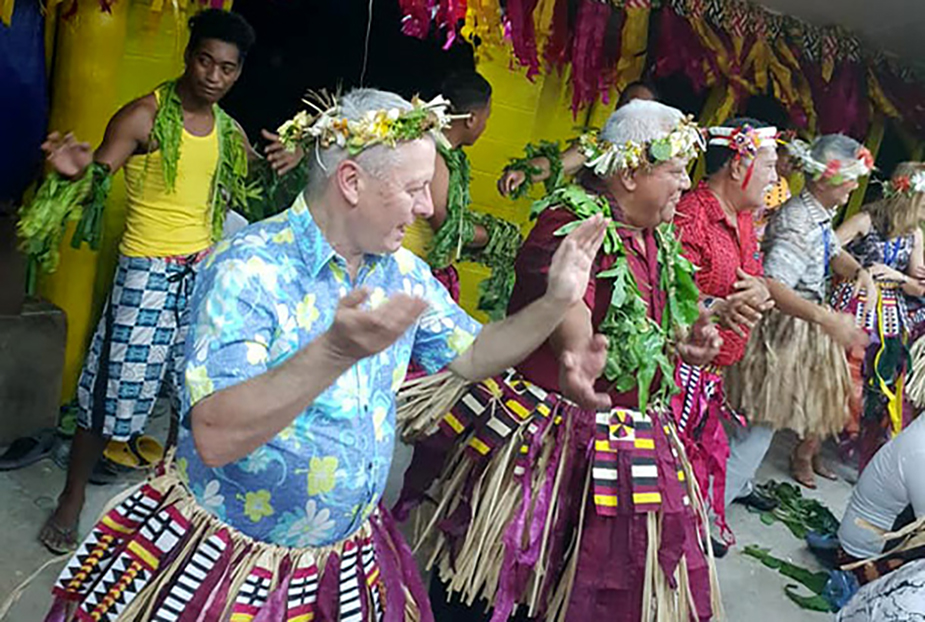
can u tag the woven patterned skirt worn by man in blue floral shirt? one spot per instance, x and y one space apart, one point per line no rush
158 556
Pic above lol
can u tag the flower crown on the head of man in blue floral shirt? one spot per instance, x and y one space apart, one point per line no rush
329 127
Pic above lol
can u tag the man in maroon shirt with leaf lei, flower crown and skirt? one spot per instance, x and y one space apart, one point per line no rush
538 500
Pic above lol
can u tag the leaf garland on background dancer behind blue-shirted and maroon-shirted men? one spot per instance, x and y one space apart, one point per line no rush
452 239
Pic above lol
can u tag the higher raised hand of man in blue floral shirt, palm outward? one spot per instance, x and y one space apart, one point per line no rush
570 267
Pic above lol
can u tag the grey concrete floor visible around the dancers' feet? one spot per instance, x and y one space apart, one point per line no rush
751 592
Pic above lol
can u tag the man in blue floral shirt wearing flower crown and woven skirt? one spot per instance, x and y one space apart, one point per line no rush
302 329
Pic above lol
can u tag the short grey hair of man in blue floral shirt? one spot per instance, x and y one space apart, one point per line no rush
376 160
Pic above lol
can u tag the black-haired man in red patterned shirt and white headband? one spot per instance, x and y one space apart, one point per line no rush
715 225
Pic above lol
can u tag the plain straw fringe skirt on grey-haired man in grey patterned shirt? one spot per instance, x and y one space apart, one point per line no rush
793 376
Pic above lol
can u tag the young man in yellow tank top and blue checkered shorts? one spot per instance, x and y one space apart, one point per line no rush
183 159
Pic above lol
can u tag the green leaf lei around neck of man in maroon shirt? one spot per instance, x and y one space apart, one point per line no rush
638 346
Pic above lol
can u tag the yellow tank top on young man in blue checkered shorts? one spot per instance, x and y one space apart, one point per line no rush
159 223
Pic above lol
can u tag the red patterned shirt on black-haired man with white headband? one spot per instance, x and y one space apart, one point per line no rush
712 243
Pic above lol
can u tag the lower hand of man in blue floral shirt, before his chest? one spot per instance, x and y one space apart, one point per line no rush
357 333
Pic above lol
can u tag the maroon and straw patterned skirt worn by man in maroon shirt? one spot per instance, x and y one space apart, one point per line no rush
528 503
